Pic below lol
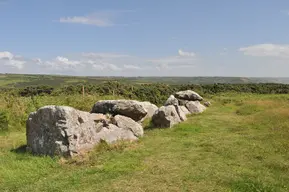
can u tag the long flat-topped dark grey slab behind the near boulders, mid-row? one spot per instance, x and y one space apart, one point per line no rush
129 108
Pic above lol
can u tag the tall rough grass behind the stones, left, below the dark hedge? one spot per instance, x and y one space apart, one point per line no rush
14 110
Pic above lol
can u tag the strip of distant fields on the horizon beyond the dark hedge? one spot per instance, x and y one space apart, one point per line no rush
15 80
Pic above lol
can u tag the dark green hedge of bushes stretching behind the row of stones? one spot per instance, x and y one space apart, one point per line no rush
156 93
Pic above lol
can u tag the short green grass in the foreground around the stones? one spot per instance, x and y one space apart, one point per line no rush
239 144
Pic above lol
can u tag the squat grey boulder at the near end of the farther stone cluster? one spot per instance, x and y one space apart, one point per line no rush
166 116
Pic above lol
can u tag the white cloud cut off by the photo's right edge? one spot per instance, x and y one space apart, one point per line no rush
266 50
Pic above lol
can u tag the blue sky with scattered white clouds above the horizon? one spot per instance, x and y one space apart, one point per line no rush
248 38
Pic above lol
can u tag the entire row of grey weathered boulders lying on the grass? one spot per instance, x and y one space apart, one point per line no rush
65 131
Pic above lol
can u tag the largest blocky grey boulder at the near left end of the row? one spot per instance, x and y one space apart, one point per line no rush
57 130
